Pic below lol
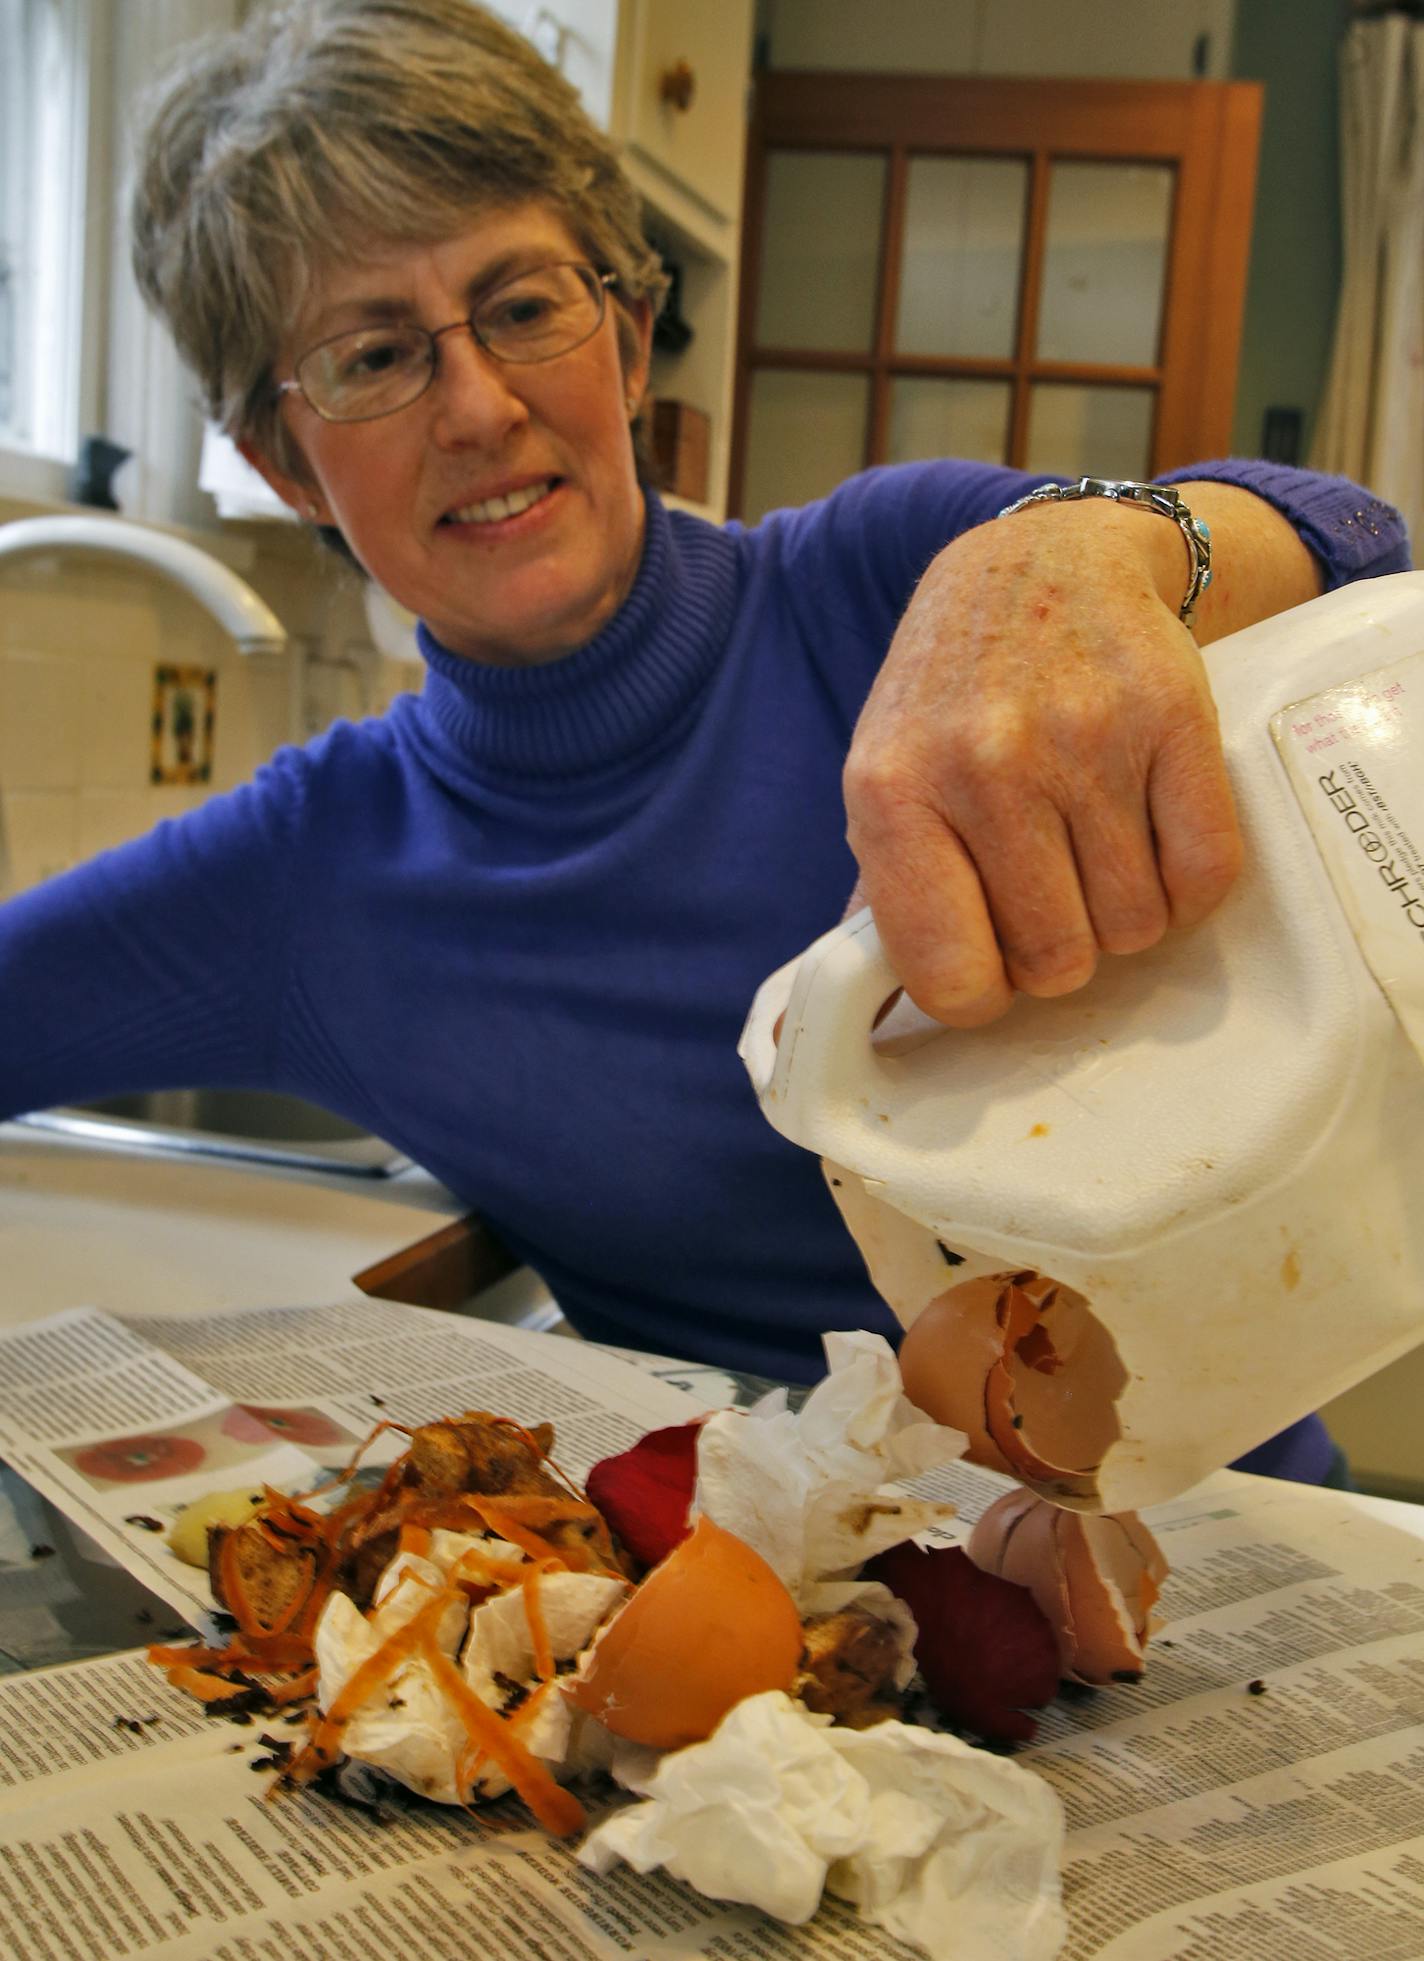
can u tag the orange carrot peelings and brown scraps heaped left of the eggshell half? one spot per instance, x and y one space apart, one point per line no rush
472 1515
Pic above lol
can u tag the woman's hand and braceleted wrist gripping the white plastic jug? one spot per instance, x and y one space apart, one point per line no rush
1037 776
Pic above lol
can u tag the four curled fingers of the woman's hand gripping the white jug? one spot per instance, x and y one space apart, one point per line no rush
993 878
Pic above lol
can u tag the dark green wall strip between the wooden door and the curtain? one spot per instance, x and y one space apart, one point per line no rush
1292 46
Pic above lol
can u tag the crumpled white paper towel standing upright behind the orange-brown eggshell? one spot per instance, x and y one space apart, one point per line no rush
815 1491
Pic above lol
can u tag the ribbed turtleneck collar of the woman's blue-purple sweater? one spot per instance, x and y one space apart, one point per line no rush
609 701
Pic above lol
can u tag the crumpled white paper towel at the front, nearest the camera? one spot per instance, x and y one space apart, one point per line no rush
942 1844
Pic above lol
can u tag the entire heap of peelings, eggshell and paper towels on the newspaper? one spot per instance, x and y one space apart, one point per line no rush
737 1591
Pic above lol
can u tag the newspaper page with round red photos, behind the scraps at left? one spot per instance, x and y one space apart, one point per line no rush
127 1421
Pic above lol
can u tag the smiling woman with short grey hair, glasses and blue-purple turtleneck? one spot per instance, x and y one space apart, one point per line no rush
515 927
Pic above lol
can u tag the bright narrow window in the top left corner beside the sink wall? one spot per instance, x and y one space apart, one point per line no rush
46 50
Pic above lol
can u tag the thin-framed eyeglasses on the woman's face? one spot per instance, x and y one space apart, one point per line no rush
374 372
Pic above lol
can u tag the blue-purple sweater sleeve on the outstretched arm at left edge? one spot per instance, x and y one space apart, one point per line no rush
156 966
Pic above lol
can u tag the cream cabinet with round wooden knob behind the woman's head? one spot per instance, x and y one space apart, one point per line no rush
670 83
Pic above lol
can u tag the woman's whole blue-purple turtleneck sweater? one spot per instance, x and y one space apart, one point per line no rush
515 925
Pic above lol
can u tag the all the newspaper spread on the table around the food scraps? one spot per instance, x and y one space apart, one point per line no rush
1260 1795
